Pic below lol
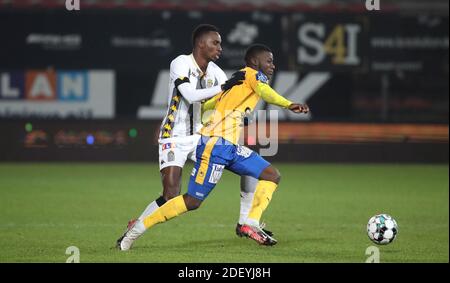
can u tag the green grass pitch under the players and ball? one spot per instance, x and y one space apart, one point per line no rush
318 214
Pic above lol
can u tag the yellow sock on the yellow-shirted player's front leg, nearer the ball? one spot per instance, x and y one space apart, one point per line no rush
263 195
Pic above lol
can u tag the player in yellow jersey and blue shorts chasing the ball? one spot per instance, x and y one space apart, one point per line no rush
218 148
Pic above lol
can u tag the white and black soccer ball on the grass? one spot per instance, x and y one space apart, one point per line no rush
382 229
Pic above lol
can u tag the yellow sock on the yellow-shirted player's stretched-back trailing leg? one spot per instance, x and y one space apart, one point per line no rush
169 210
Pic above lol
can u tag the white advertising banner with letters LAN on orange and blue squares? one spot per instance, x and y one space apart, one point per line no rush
59 94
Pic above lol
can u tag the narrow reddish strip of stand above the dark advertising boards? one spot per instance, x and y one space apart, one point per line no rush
438 6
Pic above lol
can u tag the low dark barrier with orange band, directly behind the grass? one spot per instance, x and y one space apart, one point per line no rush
136 140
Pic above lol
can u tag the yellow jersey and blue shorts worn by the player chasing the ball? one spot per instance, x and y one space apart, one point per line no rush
218 148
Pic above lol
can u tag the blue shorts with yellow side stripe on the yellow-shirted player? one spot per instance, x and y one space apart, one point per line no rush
214 154
